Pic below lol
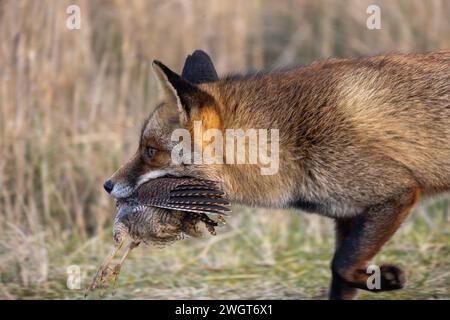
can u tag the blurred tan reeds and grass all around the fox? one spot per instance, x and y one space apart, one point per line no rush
71 106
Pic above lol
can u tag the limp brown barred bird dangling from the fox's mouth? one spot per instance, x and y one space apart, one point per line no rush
160 212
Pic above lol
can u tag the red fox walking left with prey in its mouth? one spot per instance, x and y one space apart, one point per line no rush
362 141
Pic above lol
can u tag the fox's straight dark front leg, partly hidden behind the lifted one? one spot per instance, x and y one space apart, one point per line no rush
339 288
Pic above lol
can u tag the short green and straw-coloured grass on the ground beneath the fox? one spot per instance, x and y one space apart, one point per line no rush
259 254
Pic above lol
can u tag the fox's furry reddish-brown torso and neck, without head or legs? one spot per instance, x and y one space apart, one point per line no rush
352 132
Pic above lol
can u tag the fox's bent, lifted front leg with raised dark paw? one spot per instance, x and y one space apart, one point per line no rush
371 230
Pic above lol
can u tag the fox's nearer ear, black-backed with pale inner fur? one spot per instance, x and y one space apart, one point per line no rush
179 92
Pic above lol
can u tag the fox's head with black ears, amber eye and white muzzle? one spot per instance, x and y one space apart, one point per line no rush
184 101
